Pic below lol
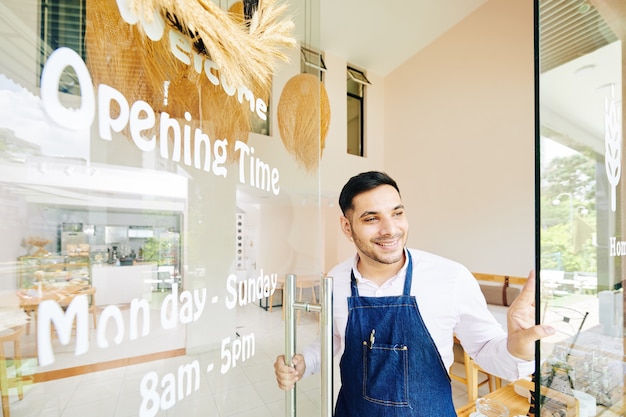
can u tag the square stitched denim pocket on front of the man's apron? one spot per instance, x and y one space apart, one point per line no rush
386 374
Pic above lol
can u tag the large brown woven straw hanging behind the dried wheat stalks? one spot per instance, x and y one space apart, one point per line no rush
121 56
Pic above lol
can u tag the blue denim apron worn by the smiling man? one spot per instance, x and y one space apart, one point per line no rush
391 366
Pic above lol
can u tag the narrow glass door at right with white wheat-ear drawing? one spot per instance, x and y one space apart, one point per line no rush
581 207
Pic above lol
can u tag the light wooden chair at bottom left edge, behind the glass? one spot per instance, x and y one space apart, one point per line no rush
18 381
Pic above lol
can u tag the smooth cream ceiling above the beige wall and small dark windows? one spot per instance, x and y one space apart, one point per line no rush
380 35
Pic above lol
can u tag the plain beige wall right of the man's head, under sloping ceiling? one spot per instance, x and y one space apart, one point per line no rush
459 138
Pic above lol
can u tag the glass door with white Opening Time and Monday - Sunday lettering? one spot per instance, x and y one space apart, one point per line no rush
151 207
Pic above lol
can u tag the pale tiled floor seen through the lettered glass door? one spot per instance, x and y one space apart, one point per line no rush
249 389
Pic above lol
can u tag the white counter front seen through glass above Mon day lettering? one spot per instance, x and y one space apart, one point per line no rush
120 284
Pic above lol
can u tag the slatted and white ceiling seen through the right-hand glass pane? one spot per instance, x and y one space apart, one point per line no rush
580 69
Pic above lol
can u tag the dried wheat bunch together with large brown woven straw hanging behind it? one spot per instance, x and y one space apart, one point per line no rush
122 56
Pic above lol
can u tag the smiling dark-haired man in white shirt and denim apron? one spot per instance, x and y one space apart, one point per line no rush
396 310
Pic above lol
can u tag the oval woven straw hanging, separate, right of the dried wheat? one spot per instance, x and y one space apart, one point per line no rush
303 119
